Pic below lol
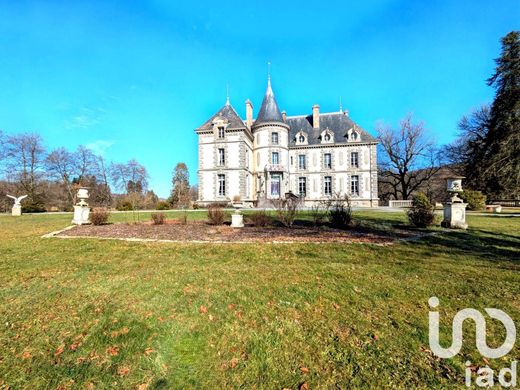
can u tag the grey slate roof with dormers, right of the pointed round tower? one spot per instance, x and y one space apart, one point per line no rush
337 122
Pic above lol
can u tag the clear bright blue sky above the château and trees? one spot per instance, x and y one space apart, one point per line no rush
133 79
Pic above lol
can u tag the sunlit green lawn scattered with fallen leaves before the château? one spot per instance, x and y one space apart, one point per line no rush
112 314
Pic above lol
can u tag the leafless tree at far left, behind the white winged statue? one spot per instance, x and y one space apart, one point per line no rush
25 155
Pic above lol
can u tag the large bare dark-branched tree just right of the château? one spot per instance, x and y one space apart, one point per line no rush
409 159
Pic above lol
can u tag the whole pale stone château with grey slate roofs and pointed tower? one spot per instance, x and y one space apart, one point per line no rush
312 156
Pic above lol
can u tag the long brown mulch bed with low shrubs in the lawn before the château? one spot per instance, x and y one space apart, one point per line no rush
201 231
